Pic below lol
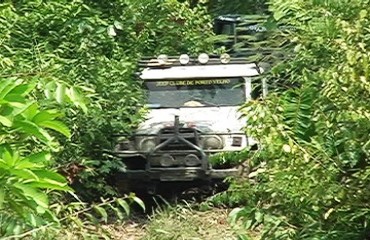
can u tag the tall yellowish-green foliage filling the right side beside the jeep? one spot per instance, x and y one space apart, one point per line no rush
310 178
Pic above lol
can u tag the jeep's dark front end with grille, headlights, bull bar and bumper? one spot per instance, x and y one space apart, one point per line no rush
175 153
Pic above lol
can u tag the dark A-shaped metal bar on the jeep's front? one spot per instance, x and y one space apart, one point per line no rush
178 138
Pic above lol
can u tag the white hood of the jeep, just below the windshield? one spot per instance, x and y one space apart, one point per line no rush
206 119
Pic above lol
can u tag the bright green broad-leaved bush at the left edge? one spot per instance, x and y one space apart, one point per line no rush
25 145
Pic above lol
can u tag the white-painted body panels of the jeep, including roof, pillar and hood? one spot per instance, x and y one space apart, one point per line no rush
221 119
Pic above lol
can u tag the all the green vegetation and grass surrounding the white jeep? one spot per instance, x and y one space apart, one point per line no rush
66 85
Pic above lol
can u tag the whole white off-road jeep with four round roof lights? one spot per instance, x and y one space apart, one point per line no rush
193 113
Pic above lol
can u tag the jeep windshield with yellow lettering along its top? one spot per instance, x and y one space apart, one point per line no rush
175 93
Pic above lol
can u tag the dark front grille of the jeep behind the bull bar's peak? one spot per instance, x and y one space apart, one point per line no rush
190 134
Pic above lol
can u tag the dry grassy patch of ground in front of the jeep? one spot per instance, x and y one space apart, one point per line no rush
178 222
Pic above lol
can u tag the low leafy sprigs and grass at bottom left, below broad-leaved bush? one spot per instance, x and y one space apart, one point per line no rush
82 220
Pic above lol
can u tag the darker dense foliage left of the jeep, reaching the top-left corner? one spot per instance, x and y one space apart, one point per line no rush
84 53
